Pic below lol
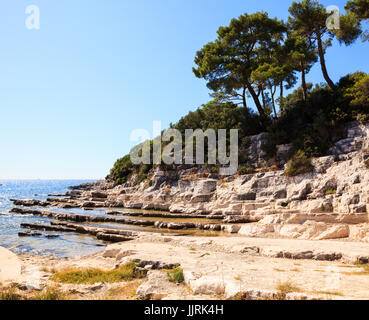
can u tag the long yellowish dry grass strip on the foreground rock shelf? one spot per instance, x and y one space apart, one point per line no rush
90 276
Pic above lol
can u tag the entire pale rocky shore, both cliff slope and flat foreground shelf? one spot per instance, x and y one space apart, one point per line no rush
268 222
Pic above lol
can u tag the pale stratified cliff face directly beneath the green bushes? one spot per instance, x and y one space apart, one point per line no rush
330 202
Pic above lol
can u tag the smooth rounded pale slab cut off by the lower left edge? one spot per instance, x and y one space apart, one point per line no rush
10 266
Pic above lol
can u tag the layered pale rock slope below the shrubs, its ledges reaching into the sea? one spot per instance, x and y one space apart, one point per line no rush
329 203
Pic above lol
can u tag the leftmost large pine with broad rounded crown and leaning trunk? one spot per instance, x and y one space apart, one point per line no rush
227 63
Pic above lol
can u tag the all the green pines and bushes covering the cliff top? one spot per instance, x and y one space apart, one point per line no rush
256 59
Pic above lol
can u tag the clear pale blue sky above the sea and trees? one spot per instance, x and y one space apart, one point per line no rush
72 92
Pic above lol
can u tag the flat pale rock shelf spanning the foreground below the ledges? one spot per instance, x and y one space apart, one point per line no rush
213 268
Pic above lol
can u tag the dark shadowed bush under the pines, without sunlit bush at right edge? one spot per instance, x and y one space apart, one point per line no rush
311 125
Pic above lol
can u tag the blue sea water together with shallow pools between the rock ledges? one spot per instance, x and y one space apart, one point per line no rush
70 244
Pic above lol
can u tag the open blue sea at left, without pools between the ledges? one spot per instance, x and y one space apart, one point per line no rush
64 246
